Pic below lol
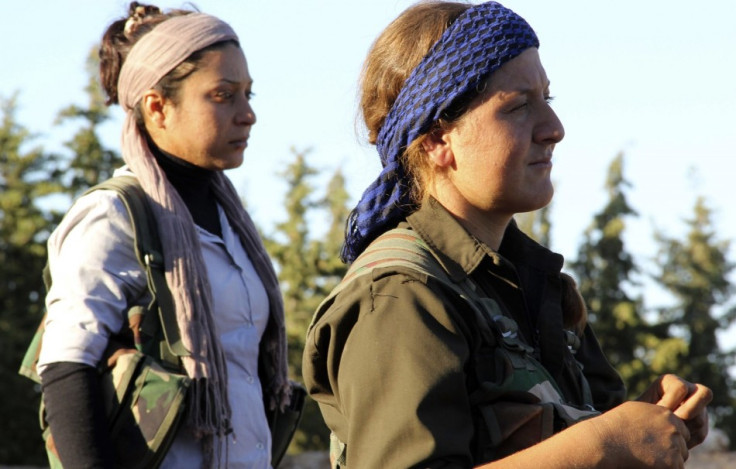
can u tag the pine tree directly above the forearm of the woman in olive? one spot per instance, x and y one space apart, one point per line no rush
606 272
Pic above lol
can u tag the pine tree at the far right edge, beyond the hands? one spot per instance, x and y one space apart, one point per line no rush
695 271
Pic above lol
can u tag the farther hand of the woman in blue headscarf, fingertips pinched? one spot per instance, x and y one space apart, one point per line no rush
687 400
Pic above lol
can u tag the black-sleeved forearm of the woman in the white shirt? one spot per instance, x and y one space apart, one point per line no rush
76 415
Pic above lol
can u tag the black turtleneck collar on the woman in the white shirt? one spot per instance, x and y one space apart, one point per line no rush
194 185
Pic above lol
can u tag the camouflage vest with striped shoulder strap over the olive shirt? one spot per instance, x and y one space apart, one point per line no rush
511 412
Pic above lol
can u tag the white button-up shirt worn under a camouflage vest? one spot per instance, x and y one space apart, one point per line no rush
96 278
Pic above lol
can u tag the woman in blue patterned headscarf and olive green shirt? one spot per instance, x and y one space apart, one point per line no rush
454 340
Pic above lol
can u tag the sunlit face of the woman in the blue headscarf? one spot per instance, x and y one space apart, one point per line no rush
502 147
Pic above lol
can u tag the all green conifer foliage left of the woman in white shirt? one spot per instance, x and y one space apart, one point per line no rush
27 177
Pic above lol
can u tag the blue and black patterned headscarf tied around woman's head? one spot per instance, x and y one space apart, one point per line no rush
476 44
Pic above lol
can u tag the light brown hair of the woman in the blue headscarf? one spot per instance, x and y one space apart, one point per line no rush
393 56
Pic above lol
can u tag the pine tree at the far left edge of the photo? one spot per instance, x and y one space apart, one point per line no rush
27 175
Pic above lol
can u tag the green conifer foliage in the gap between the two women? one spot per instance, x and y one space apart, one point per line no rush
309 267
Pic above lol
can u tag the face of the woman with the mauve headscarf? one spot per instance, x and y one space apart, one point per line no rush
210 121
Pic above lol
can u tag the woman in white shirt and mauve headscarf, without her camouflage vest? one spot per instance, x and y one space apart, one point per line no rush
184 84
